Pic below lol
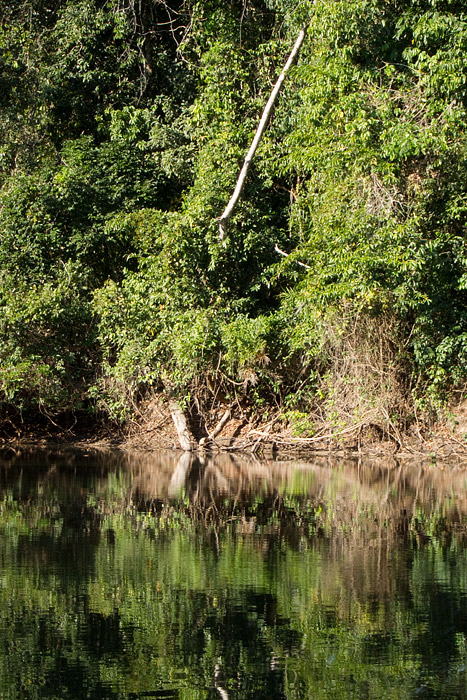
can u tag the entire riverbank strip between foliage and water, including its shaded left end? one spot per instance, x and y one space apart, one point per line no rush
265 432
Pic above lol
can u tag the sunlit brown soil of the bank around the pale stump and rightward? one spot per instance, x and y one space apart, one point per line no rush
266 433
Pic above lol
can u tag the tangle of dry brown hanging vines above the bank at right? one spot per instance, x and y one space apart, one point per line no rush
365 386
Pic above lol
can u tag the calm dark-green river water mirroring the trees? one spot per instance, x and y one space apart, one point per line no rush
148 576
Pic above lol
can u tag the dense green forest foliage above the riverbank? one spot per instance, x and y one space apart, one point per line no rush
337 296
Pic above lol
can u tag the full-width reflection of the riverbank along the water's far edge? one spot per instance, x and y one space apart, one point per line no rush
387 488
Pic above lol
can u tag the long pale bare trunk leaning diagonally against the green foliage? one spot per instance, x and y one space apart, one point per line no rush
224 218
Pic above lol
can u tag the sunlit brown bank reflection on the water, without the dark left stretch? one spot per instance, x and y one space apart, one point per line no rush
387 486
